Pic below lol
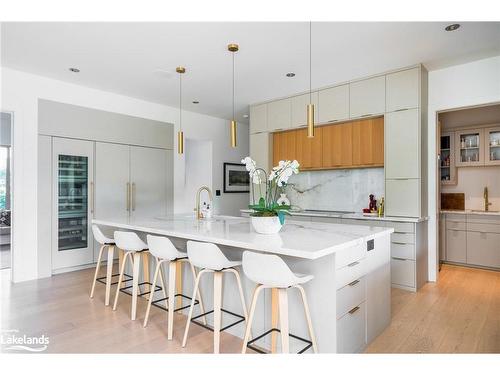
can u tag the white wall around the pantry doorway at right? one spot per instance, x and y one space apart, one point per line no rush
463 85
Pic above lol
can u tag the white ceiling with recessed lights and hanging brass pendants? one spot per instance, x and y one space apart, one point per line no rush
139 59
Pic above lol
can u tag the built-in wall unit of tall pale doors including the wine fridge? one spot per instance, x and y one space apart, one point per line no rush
96 164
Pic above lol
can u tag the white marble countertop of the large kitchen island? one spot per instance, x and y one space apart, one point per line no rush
296 239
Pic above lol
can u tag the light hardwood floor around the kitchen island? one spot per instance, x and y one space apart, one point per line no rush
460 314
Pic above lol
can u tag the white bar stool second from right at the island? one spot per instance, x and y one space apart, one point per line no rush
210 259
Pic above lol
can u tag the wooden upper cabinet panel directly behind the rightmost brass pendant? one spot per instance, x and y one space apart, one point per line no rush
308 150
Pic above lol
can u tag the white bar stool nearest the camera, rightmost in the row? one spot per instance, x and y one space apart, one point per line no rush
270 271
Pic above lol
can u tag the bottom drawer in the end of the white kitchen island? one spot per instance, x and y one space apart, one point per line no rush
351 330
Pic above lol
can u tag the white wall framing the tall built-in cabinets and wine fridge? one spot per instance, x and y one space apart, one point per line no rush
20 93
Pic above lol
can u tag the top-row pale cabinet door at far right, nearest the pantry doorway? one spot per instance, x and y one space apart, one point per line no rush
402 90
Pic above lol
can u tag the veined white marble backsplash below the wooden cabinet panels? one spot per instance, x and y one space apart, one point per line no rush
336 190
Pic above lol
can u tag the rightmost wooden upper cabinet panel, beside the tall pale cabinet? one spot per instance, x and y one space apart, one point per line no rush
368 142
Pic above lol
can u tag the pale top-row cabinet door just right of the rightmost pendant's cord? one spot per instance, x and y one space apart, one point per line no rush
333 104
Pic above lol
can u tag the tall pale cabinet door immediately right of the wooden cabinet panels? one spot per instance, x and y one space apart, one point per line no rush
402 144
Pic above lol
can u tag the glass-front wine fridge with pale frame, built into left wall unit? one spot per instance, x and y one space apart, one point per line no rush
73 202
